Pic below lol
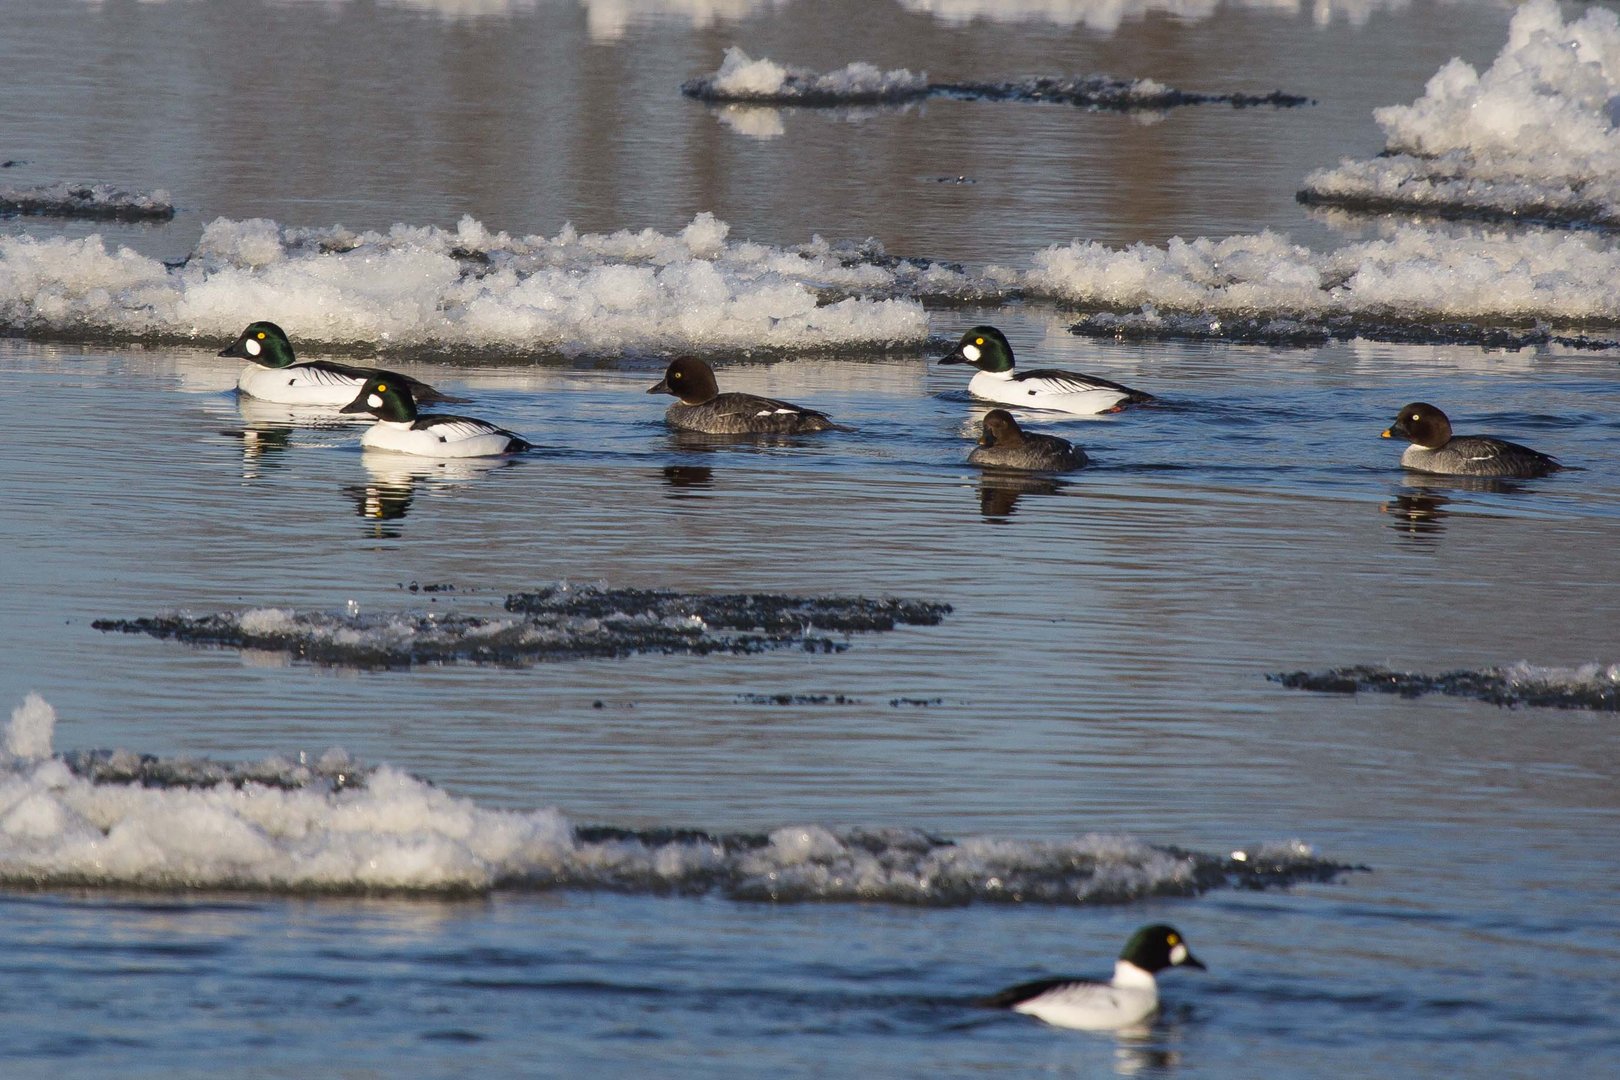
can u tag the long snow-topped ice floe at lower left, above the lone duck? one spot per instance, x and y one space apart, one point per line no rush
129 822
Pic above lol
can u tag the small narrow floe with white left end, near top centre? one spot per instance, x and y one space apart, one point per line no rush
769 83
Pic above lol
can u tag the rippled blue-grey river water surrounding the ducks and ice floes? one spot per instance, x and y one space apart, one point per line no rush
1104 668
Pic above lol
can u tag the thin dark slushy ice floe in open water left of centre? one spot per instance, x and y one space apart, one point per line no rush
556 623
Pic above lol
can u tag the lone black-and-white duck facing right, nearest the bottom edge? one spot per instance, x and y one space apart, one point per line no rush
1125 1001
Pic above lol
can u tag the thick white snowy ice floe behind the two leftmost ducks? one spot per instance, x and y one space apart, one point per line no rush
474 291
